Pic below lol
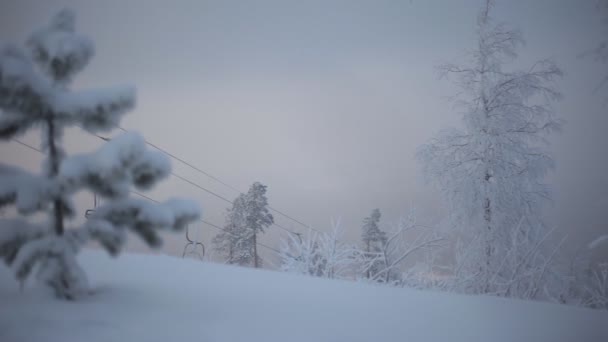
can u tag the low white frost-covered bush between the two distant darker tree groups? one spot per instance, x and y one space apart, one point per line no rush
320 254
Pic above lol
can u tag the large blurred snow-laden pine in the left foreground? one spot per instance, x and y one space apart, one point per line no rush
35 92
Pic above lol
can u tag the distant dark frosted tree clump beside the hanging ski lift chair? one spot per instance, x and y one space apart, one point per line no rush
248 217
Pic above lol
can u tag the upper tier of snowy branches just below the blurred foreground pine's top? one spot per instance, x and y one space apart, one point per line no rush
29 98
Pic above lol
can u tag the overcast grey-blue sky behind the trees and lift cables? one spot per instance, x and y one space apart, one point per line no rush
325 102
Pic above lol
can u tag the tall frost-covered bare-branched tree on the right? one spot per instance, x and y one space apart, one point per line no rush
491 170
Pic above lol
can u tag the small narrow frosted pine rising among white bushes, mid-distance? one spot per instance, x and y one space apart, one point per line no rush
373 240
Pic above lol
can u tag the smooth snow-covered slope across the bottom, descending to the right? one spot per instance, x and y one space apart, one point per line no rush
160 298
